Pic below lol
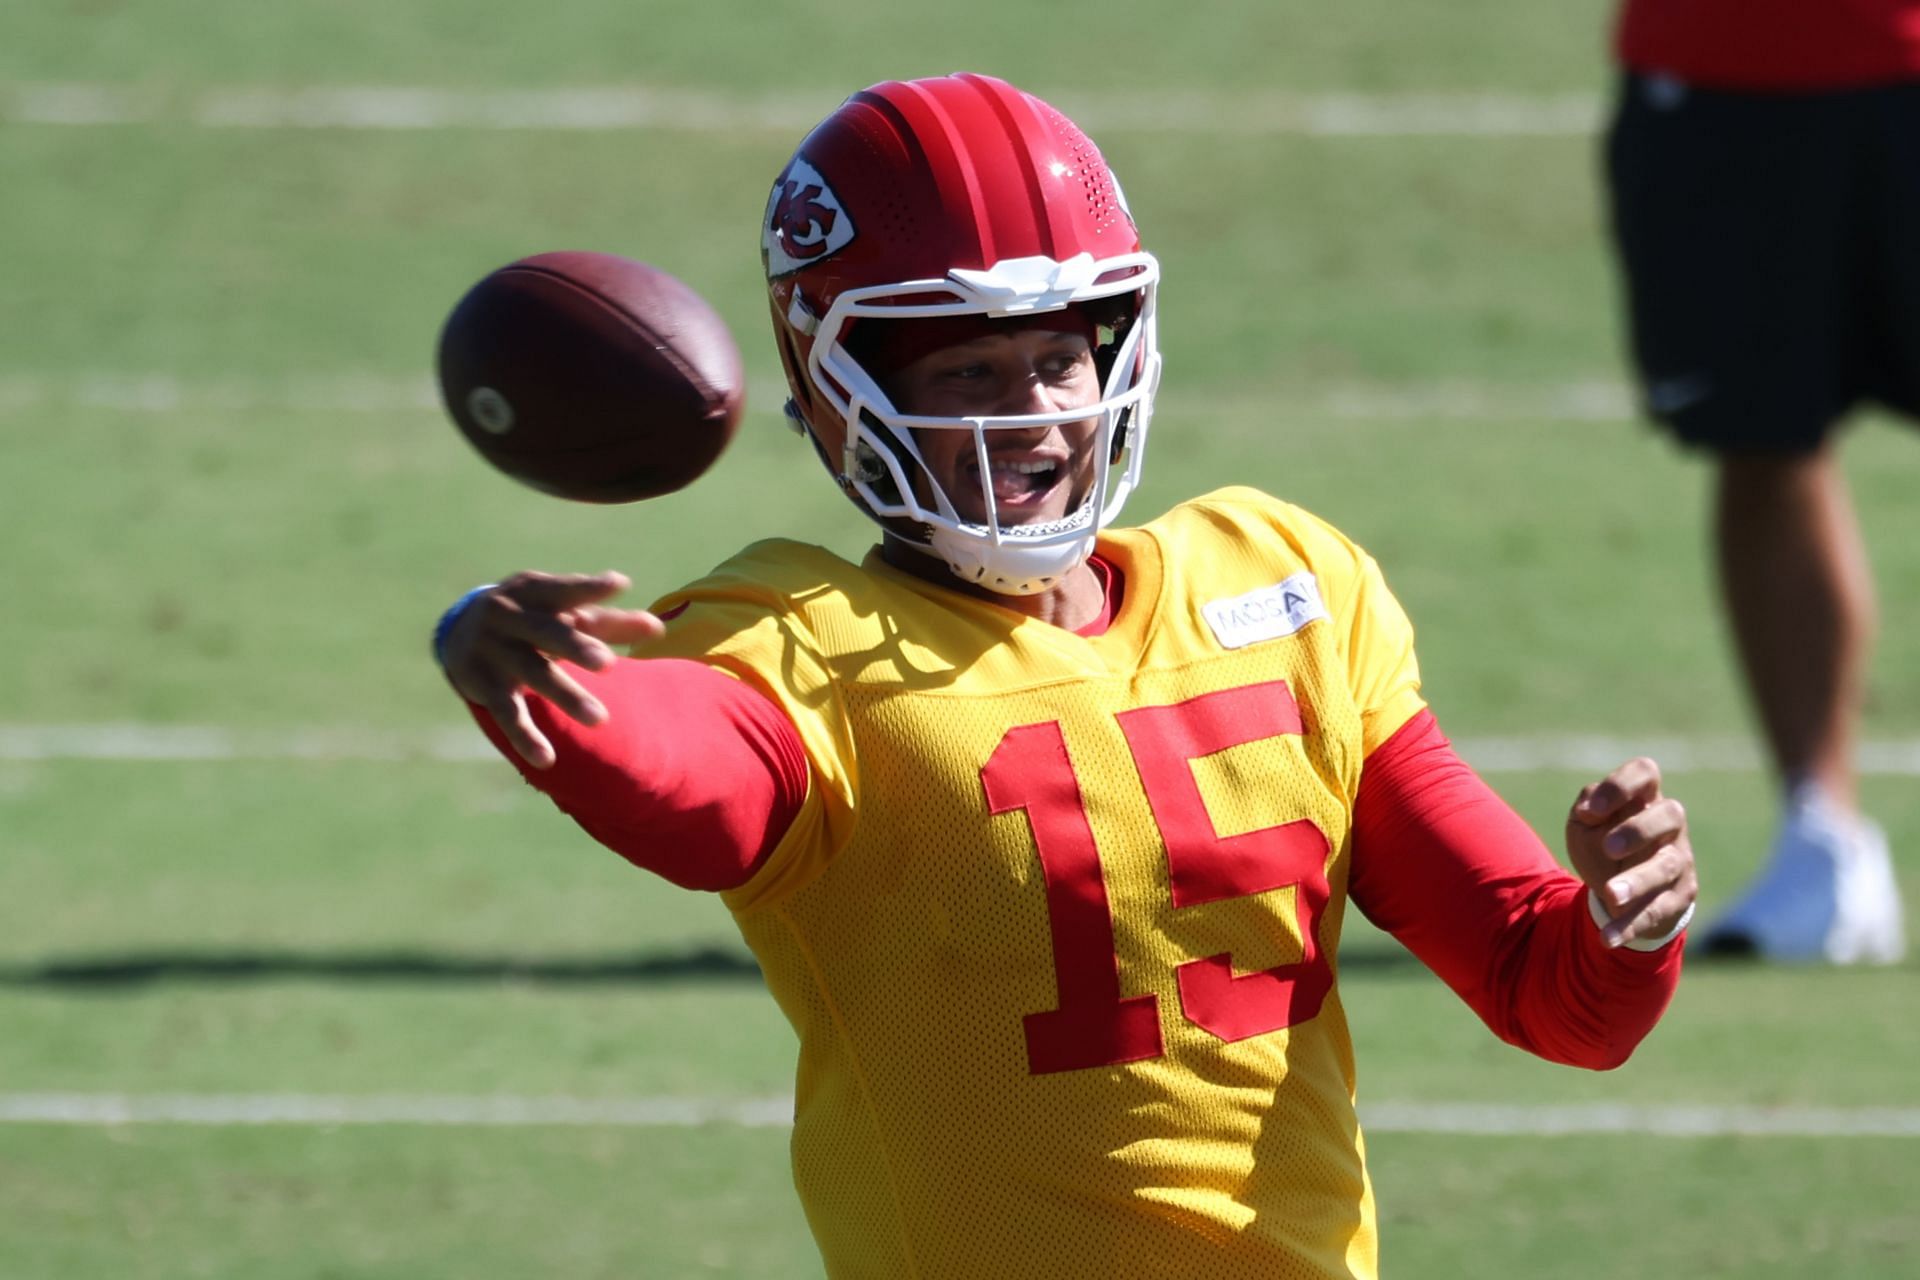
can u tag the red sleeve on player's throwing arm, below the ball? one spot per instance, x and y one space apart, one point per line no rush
694 774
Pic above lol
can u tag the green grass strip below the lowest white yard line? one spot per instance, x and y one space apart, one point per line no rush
158 1204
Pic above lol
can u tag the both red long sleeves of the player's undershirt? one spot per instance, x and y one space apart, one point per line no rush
696 776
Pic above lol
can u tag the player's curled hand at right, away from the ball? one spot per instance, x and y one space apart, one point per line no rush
1629 843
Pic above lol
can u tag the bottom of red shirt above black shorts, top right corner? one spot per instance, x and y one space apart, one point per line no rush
1773 45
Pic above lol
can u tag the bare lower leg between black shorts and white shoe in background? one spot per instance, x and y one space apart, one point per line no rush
1800 600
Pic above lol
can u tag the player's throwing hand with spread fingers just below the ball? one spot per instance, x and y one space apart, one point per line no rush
508 642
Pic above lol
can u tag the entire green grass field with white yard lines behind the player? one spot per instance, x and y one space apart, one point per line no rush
237 510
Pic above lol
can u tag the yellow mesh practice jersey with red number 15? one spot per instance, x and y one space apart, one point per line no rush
1057 924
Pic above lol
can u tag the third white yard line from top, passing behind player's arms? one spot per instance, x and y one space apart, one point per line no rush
1535 753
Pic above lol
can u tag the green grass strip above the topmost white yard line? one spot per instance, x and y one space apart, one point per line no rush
813 47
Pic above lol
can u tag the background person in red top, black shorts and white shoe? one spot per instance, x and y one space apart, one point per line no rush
1765 187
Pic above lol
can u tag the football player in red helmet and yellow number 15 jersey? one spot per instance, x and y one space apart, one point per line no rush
1042 828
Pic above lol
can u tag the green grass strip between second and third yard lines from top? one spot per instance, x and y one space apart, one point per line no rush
291 561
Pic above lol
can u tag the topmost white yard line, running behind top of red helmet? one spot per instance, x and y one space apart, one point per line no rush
686 110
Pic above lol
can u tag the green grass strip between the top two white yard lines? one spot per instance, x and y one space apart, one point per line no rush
264 254
